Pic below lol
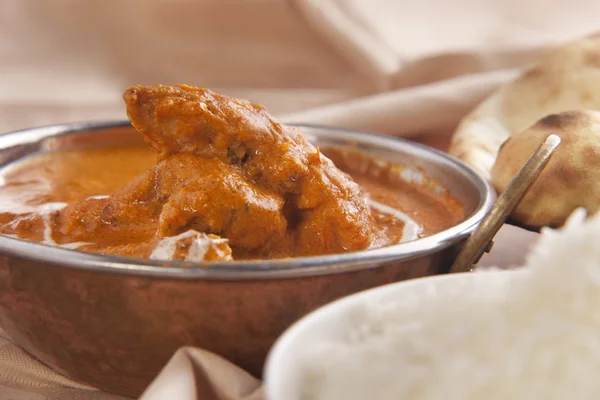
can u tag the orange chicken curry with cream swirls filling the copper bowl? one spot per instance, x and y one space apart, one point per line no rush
220 180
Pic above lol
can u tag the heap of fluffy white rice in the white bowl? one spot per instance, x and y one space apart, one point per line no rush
535 338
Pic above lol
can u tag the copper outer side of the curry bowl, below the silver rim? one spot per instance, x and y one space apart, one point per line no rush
117 332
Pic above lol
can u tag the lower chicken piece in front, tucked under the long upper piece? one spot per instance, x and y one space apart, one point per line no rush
183 192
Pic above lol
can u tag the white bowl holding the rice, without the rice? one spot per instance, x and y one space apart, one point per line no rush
283 371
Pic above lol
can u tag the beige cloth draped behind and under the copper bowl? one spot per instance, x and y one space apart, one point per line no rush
394 66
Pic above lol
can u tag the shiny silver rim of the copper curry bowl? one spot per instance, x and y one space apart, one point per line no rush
250 269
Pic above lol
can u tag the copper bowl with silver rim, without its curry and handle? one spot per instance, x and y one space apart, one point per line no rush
114 322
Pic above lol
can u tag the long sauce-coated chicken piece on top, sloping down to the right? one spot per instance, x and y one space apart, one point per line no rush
326 212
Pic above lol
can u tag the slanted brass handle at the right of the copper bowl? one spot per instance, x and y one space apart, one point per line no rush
481 240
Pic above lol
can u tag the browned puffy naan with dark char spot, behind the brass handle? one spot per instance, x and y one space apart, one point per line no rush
571 178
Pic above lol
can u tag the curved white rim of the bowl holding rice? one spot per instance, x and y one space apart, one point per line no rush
277 358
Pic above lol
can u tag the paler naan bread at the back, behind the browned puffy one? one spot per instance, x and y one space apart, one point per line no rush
566 78
